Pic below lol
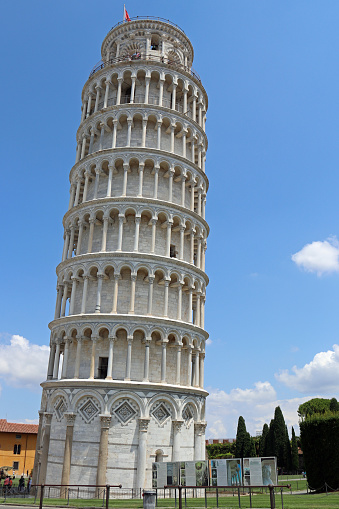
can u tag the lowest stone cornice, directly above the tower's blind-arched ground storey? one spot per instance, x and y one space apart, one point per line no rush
123 385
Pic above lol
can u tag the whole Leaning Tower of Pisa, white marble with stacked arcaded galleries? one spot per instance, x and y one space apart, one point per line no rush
125 377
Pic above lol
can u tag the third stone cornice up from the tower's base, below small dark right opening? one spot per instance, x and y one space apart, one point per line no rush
130 256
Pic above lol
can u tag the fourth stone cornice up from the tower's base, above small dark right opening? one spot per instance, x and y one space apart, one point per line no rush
129 200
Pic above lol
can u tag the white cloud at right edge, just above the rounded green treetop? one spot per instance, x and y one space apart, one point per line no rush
320 375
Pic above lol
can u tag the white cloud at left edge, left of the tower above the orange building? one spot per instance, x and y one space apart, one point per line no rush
23 364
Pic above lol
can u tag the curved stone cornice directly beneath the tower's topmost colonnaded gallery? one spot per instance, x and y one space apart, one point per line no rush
136 106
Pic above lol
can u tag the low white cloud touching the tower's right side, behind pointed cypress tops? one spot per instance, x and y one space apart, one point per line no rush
256 405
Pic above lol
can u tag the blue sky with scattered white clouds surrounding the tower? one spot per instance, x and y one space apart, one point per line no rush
272 75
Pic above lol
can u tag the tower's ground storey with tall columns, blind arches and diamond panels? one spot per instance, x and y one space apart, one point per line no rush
122 426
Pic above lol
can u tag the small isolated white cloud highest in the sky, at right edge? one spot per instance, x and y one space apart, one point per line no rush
320 256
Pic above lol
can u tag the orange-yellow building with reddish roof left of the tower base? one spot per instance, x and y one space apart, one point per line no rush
17 446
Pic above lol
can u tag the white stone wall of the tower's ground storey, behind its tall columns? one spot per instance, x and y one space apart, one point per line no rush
123 439
